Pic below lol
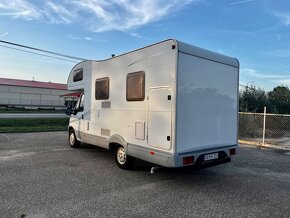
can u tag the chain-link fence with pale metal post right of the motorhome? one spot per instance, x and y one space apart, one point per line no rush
265 128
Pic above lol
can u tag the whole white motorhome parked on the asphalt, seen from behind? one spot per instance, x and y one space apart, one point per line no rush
170 103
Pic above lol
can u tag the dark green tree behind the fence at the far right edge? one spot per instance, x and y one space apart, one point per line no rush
279 100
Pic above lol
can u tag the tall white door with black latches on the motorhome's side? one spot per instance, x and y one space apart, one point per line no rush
159 118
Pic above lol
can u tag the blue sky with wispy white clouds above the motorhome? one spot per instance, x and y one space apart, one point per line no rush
257 32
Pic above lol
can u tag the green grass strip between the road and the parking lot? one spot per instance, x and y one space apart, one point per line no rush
33 124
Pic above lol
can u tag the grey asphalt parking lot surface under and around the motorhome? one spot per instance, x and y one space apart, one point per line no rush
41 176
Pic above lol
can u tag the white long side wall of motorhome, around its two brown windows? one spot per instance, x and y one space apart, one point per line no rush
159 64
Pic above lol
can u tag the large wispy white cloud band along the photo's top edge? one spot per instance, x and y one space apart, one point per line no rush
98 15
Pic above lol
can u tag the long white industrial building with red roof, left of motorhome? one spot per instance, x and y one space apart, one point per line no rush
35 94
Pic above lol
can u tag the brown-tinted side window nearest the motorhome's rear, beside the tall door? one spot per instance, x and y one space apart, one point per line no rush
135 87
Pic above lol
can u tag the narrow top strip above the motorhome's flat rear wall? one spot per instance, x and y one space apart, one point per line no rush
206 54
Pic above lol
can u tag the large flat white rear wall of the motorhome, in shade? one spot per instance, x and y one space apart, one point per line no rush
206 104
